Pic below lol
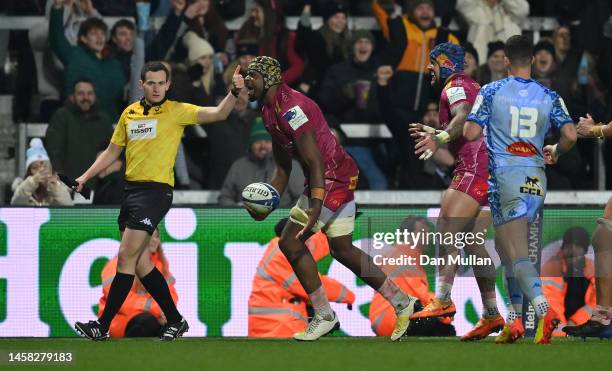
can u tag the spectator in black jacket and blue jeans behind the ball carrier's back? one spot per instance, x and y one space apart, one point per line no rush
348 94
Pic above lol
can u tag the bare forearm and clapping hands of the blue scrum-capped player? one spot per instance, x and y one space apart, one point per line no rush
430 142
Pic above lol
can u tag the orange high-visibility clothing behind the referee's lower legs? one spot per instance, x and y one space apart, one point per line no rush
138 300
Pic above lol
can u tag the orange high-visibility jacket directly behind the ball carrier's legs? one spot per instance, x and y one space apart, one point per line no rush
277 304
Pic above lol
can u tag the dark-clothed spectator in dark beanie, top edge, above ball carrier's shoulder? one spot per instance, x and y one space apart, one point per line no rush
329 45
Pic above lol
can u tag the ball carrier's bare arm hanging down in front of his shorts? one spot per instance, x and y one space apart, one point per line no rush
309 152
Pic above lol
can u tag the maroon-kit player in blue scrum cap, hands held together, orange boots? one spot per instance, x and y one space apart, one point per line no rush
465 206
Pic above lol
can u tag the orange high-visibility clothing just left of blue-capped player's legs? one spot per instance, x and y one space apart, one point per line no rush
409 278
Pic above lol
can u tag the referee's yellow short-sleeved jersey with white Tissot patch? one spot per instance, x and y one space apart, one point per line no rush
151 141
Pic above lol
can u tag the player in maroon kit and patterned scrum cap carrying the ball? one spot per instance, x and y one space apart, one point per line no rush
299 131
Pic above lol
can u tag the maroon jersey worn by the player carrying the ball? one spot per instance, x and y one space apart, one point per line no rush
290 116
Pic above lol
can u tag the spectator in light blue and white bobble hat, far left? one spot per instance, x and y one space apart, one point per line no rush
41 187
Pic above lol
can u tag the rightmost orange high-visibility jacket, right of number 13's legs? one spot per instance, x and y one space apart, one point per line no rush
555 288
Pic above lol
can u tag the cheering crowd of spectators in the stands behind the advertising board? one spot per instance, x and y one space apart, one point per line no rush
78 72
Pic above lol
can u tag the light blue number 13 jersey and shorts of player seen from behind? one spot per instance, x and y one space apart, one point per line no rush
516 115
